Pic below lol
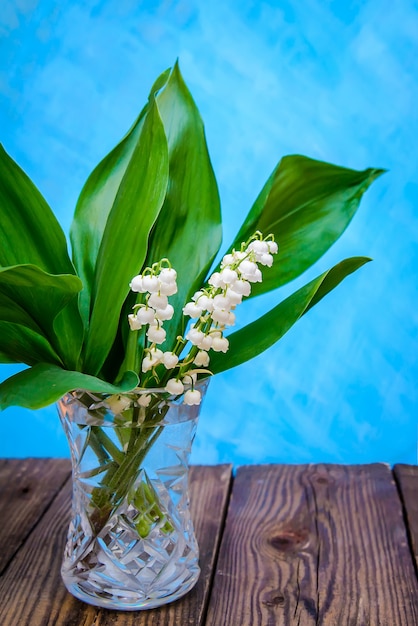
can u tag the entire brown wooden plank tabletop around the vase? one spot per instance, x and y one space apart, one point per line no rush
289 545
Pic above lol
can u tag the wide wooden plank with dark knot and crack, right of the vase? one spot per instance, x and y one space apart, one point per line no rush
305 545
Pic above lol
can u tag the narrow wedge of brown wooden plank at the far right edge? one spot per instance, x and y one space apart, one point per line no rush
407 480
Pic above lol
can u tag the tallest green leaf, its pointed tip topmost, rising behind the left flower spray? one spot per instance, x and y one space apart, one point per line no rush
188 230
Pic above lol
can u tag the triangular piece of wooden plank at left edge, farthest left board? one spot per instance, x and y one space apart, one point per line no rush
27 487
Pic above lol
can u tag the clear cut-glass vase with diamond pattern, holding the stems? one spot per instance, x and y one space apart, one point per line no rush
131 543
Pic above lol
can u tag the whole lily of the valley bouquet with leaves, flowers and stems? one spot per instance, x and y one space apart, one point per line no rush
139 315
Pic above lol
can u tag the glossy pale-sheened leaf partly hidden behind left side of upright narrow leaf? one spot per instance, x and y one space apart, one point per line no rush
96 200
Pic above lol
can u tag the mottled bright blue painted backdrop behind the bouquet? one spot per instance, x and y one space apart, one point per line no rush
330 79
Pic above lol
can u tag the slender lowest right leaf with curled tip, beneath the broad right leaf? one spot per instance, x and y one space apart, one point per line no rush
254 338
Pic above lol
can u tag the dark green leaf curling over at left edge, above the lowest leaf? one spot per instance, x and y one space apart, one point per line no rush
27 289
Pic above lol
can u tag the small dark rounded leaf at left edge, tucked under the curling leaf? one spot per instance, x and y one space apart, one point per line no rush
21 344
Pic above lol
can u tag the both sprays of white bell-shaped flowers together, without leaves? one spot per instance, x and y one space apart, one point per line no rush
212 308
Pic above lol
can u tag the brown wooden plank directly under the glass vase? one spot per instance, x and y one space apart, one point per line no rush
32 594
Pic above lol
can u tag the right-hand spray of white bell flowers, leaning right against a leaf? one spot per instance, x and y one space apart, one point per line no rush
213 307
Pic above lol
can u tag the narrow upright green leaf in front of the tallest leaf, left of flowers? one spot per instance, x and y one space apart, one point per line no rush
124 245
